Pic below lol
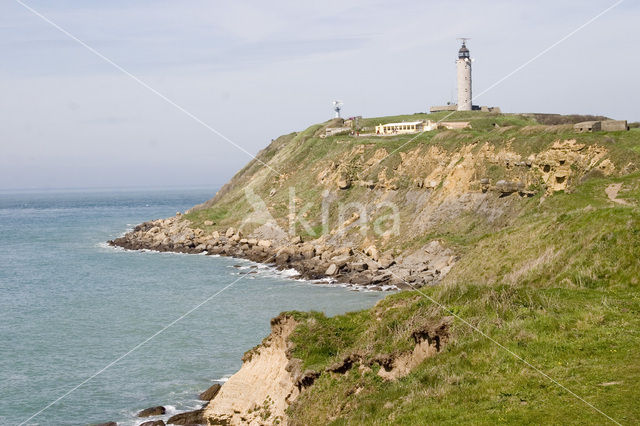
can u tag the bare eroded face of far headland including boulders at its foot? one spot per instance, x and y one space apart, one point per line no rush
424 190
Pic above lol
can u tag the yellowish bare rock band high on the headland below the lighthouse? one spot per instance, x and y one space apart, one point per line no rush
467 168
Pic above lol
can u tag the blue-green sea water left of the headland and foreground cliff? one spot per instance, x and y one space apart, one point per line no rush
71 306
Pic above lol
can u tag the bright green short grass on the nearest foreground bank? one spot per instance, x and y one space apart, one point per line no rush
581 338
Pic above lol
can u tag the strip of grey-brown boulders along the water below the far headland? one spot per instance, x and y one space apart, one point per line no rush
313 260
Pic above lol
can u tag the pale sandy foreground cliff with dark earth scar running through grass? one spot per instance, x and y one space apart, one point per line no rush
271 378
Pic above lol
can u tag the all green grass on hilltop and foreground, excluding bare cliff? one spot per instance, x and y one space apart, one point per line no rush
558 286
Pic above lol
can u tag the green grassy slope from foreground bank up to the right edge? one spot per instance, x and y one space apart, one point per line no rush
575 317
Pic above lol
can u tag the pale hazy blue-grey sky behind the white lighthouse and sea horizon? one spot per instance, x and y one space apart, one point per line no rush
254 70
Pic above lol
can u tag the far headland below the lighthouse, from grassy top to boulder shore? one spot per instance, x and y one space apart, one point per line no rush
391 211
